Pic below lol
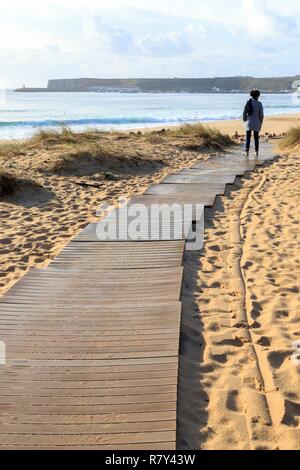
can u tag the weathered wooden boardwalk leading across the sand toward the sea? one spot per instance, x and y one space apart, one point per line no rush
92 342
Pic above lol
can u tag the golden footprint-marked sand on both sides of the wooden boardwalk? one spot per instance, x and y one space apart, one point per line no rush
239 387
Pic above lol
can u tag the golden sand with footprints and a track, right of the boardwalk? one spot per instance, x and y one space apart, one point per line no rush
239 385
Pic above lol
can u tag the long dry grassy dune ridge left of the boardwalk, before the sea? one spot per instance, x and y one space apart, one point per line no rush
64 152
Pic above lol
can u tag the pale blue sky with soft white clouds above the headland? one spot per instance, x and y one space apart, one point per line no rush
47 39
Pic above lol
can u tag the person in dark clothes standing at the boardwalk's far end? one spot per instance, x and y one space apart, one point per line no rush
253 116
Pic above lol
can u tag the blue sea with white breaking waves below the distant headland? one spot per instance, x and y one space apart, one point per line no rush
21 114
